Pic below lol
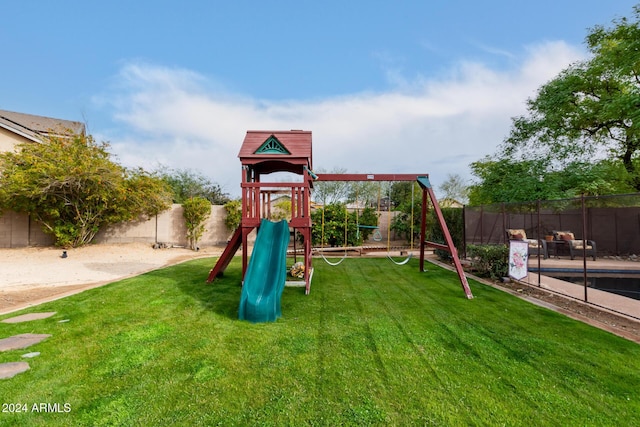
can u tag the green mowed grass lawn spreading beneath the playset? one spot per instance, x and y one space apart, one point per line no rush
373 344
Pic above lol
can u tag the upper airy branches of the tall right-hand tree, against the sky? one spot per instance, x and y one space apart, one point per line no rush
589 111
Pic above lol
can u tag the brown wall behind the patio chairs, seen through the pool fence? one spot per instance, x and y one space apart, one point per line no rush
611 222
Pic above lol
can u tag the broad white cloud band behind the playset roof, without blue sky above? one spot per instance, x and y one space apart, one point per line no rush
181 119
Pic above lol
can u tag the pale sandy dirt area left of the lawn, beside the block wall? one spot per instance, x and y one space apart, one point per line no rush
30 276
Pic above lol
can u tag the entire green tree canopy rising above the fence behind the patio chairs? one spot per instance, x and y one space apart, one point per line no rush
586 120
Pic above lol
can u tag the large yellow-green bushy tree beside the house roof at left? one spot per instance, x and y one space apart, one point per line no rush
73 188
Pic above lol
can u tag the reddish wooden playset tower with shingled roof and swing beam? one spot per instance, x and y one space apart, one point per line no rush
266 152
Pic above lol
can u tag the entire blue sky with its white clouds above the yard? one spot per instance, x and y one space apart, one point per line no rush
385 86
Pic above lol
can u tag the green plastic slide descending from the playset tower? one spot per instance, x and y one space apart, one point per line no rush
266 274
